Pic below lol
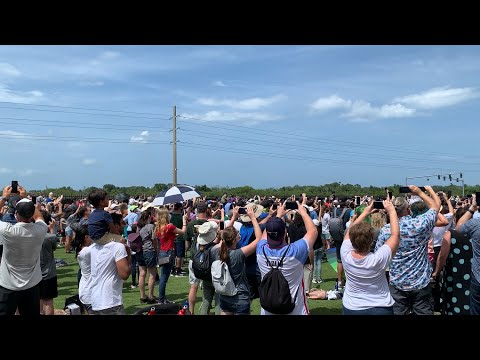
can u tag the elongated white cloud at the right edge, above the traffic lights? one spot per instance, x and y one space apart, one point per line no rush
438 97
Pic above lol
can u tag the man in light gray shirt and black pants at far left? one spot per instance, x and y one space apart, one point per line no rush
20 270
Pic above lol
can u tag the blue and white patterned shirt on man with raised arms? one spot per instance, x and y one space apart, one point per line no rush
410 268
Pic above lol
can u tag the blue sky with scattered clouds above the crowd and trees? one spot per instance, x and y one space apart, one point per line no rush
263 116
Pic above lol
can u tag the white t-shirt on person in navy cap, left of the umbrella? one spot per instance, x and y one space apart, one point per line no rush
106 284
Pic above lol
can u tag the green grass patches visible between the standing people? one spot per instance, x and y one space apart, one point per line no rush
178 288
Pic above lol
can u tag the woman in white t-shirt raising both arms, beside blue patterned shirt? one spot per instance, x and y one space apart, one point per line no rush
366 290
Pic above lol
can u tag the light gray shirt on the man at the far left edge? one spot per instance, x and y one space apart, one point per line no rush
22 244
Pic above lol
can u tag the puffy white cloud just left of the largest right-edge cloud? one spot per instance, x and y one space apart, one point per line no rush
362 110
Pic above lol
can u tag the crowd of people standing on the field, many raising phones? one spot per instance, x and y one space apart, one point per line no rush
413 254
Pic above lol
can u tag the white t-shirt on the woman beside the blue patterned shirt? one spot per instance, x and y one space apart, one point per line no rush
366 284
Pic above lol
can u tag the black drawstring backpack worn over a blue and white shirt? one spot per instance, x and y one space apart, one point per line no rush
274 290
